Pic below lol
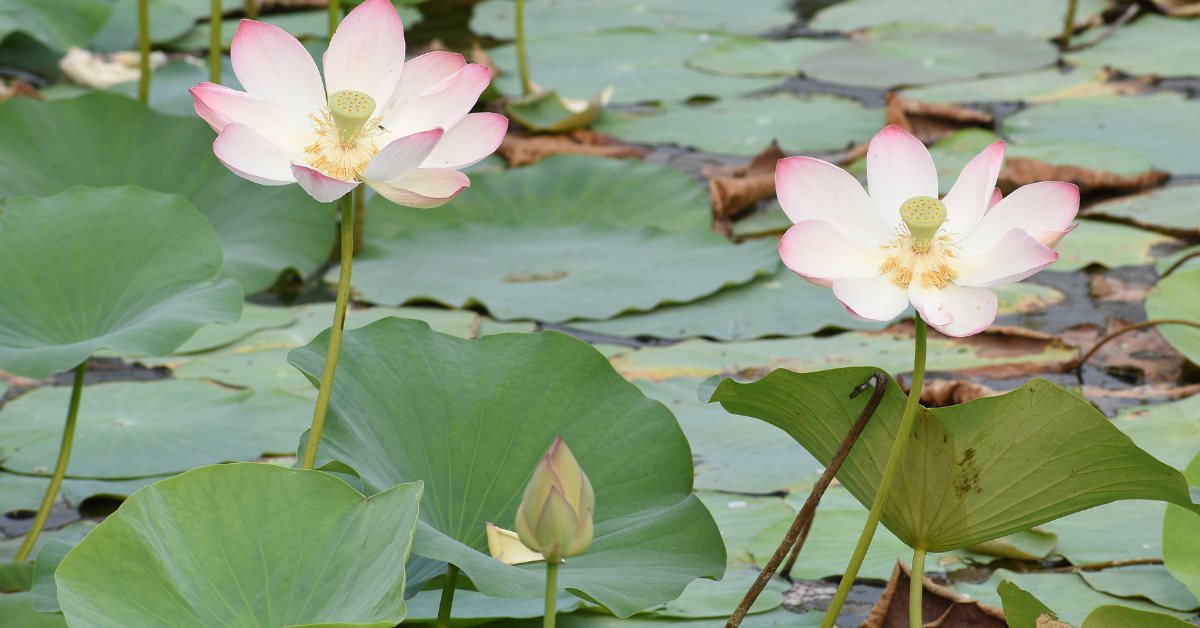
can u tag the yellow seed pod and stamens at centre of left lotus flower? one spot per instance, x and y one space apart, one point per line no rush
345 131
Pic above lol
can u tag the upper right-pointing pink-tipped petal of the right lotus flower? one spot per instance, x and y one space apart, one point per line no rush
1035 208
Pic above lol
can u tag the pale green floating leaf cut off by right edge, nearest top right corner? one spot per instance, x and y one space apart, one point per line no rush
1154 45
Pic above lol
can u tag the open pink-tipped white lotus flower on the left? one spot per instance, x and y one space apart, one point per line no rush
403 129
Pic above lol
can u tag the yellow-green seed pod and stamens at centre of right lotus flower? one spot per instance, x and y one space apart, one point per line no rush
920 253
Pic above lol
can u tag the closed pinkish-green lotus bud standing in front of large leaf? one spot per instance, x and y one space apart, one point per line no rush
555 517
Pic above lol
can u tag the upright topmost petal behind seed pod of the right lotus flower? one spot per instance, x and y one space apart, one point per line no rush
898 169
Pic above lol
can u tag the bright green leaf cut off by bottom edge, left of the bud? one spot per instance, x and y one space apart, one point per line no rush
266 547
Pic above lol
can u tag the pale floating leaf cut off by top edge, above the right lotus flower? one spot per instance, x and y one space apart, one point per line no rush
1035 17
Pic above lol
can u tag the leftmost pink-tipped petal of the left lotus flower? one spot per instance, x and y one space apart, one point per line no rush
221 106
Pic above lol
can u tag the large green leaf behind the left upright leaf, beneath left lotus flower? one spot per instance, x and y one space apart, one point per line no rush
110 140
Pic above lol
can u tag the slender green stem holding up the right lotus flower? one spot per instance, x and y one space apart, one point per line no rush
890 474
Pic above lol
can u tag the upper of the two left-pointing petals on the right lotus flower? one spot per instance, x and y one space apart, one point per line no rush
811 189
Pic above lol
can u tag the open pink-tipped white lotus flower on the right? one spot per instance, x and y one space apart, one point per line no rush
902 244
